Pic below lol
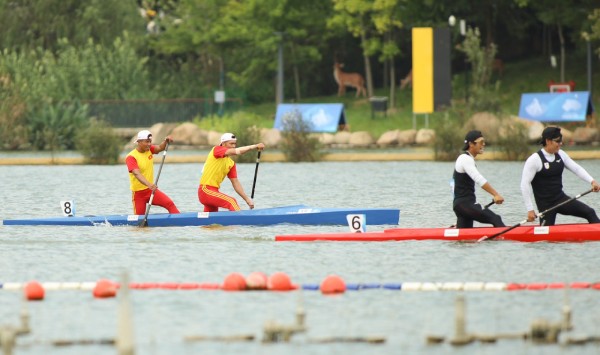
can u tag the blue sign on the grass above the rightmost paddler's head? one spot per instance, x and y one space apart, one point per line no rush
556 107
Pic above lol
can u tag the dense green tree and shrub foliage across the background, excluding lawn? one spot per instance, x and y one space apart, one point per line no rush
66 50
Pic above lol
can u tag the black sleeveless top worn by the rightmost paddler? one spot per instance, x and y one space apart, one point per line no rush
547 183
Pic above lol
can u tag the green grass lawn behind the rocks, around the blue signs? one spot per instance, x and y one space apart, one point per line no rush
520 77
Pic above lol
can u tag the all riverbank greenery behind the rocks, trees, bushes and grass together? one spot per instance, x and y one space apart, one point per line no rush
60 57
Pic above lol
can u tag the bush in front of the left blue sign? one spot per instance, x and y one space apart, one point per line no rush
297 144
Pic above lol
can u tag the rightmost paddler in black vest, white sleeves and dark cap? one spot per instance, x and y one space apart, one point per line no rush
542 177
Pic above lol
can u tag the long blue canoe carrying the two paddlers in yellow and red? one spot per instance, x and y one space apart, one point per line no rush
299 214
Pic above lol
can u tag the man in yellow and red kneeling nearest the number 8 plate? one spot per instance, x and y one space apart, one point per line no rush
140 163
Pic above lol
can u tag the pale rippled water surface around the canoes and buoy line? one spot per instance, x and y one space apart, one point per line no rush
192 254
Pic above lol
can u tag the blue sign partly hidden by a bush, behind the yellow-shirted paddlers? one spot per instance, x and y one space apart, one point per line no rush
319 117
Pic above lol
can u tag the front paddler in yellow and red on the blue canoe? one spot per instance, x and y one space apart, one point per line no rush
219 165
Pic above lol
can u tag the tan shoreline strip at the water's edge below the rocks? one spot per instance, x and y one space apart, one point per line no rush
184 156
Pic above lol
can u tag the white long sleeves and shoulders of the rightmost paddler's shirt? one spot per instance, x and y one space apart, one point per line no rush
534 164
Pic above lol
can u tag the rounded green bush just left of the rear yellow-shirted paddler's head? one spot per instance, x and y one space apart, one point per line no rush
99 144
